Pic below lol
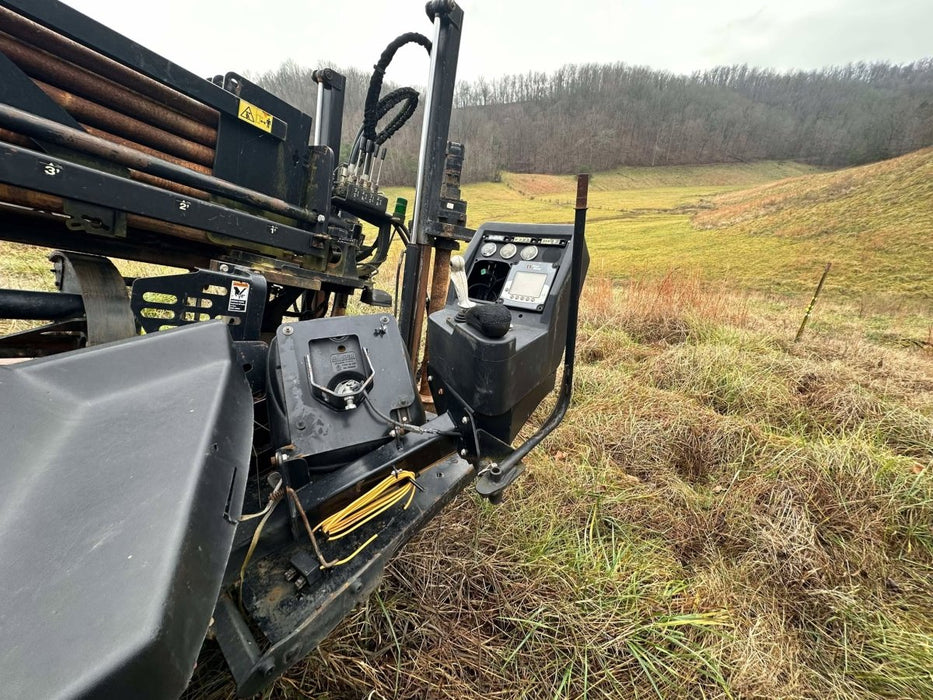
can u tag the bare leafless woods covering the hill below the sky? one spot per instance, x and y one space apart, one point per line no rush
598 117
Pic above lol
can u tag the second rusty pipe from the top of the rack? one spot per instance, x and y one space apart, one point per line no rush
41 65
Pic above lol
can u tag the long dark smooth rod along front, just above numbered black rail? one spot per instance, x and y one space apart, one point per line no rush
53 132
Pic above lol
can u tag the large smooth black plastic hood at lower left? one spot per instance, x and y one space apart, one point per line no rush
124 470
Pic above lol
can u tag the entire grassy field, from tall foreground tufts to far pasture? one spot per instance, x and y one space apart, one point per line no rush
724 512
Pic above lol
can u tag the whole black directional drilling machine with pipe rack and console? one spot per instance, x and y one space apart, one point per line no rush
222 449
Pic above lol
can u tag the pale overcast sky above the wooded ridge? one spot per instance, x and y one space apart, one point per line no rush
502 36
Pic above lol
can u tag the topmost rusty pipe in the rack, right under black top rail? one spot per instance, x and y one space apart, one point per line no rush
33 33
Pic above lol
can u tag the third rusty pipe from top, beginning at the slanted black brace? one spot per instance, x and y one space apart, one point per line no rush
100 116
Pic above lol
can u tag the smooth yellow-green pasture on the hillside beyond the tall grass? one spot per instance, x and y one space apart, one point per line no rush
875 224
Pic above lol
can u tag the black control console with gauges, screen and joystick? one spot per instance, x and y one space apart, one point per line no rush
497 350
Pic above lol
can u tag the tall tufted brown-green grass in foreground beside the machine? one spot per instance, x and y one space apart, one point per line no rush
723 514
